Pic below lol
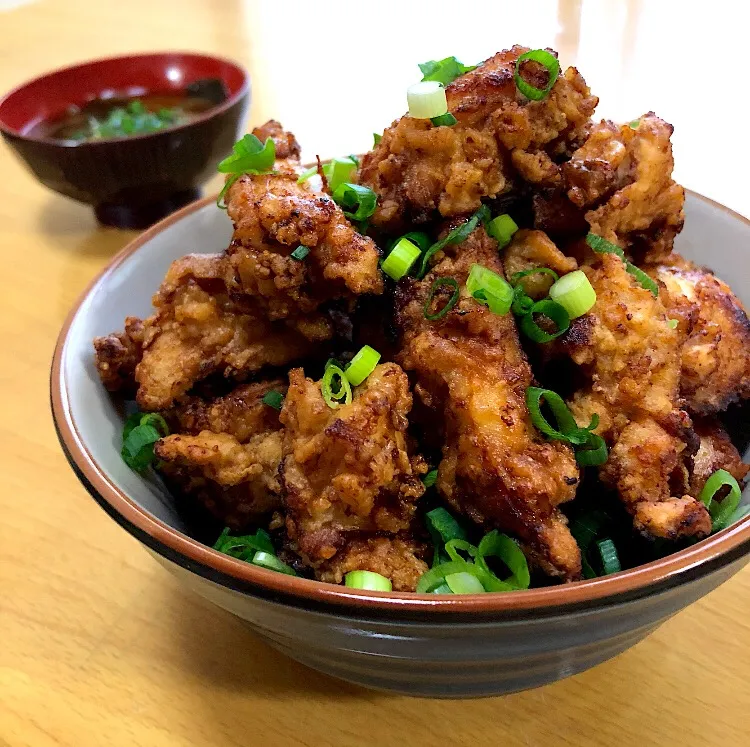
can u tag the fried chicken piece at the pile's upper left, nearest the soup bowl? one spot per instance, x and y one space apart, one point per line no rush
273 215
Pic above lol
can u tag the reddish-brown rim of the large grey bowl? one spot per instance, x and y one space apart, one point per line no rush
706 556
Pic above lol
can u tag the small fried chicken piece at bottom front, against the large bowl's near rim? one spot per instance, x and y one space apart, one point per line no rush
398 558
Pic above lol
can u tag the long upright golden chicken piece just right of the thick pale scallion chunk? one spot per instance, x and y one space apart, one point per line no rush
631 355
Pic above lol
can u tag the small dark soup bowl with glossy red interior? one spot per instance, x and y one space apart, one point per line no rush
131 182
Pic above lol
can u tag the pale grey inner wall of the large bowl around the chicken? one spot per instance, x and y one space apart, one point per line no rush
713 236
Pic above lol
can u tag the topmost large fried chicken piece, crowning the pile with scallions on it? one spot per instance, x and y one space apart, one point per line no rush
419 170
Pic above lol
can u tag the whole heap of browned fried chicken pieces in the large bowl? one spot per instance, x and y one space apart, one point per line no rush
342 487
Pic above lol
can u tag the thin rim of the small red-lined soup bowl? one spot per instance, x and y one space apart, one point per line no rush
202 117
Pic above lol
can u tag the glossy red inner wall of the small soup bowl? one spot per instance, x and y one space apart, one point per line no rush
50 95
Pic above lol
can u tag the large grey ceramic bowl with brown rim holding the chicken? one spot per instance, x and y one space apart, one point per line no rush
453 646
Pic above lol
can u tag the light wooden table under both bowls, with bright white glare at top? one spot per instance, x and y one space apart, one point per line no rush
98 645
